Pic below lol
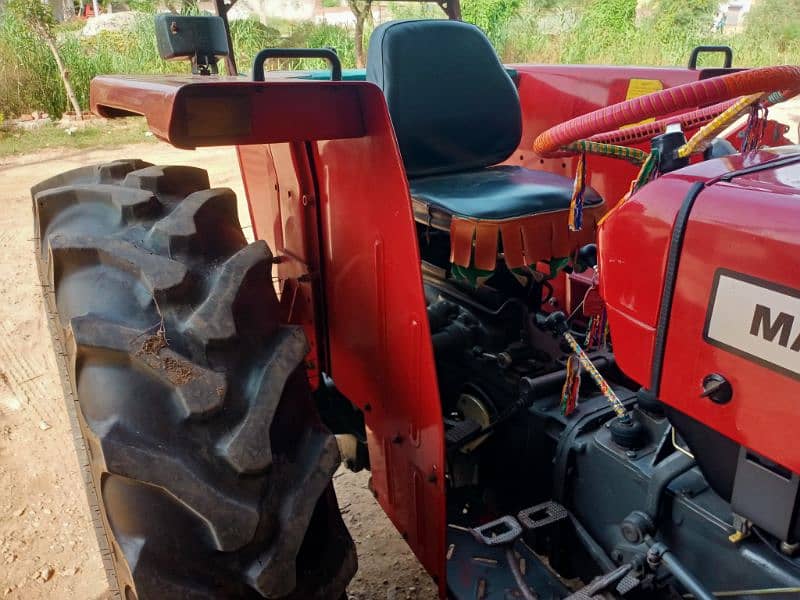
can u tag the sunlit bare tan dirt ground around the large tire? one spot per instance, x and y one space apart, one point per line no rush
47 547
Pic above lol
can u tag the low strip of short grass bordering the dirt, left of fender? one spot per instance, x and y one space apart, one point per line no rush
111 133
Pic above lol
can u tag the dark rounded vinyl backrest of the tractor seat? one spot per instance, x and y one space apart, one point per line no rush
453 105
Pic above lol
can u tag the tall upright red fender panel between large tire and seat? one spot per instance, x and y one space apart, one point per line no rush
380 347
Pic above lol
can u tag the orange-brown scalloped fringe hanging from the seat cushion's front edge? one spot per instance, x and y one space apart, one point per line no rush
526 240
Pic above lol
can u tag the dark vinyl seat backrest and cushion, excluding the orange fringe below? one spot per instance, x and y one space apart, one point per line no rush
456 112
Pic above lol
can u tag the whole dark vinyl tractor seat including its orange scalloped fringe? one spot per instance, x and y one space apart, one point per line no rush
457 116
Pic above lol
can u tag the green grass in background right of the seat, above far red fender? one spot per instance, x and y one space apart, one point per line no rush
610 32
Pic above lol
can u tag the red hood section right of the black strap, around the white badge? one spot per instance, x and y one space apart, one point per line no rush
749 226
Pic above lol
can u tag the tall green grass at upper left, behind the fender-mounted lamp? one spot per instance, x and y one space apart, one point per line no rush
29 79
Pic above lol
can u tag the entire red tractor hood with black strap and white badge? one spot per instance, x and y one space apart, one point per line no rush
700 271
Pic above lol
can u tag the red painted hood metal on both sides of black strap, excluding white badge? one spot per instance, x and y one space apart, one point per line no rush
748 226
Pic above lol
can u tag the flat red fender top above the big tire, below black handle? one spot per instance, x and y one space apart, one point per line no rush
194 111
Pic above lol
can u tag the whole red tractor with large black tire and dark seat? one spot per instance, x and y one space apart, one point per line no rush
564 339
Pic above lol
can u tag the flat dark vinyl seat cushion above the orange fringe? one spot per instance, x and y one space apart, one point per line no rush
493 194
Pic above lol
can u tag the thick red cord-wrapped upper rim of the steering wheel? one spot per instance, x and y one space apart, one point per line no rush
663 102
